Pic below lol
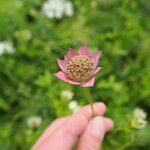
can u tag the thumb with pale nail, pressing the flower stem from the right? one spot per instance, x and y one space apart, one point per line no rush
93 136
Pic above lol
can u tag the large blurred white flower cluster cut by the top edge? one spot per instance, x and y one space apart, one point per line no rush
57 8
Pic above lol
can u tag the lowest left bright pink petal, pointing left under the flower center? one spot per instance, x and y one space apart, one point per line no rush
61 75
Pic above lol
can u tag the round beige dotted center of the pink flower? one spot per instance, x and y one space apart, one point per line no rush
79 68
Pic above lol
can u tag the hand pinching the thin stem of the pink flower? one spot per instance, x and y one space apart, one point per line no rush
80 128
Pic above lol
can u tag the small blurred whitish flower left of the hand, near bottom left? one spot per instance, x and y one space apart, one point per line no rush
34 121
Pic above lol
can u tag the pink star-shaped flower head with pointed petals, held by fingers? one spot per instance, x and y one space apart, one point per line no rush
79 67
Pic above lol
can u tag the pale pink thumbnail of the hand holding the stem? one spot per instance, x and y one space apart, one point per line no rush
98 127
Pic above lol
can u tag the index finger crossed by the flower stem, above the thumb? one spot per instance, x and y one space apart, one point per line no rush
66 133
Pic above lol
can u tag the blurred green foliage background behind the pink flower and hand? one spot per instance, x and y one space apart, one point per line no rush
34 33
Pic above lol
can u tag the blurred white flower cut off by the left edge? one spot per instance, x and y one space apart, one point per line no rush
6 47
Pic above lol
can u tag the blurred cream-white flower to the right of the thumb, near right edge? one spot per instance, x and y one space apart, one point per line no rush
138 120
